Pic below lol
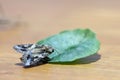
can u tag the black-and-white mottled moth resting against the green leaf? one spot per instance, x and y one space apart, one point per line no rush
34 54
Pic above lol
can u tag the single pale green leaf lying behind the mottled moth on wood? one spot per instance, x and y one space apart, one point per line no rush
72 45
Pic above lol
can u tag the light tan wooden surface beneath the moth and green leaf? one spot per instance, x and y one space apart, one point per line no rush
39 19
